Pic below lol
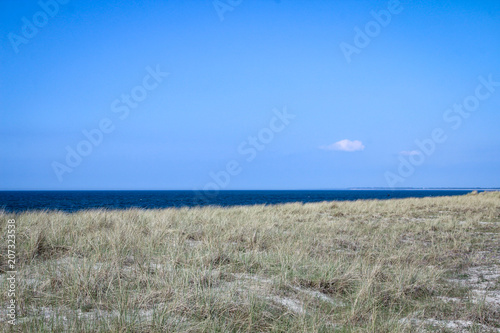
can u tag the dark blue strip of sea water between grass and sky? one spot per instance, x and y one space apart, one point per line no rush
17 201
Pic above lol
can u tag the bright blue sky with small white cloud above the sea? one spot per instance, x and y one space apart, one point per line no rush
251 94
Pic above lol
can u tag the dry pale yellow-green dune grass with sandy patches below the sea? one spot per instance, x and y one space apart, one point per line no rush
377 266
